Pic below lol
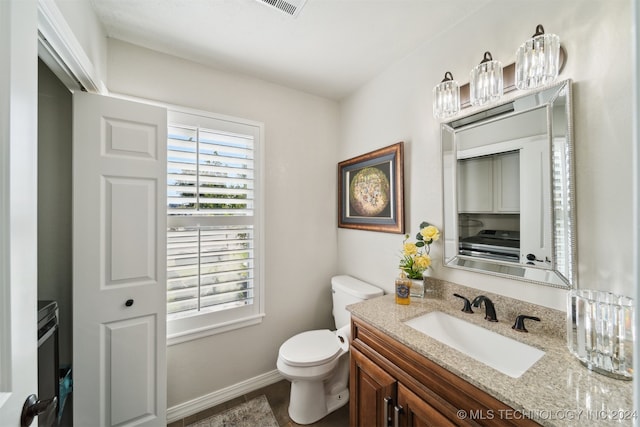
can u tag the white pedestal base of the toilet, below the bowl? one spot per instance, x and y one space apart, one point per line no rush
309 403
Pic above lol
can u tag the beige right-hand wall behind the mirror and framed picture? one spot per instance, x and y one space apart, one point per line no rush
396 106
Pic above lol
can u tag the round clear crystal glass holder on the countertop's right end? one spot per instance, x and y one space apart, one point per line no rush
600 331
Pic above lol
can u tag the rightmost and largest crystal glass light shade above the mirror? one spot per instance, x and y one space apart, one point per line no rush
538 60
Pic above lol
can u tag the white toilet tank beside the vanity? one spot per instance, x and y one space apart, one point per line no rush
349 290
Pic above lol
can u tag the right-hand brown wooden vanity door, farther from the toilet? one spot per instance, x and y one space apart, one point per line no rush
412 411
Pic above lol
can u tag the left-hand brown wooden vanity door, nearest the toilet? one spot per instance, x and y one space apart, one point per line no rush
371 392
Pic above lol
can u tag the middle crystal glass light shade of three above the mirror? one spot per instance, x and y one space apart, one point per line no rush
486 81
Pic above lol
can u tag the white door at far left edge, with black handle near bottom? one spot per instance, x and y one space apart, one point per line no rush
18 209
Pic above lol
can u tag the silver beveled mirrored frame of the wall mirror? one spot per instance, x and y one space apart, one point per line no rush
563 270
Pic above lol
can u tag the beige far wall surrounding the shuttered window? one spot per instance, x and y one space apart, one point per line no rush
300 228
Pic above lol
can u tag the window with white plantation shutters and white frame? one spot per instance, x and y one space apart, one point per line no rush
214 222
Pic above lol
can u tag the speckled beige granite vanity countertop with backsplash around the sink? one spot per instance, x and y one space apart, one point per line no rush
556 391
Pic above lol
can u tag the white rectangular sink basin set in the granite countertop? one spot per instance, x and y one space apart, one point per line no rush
504 354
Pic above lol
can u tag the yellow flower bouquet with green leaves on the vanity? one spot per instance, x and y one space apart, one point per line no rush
415 255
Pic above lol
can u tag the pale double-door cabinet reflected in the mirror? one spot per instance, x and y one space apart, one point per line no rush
489 184
